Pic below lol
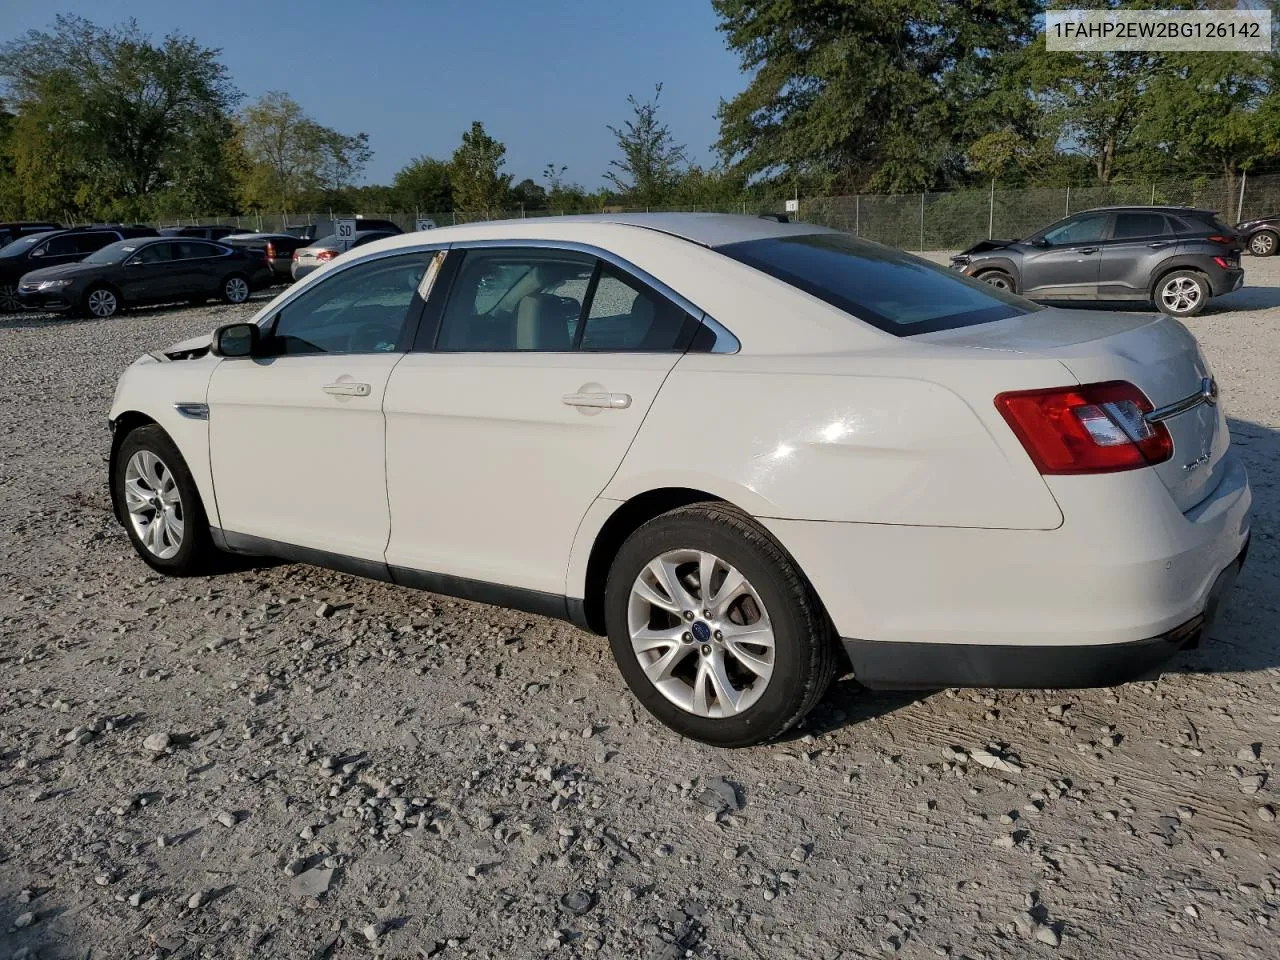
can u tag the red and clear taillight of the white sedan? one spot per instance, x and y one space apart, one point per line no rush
1094 429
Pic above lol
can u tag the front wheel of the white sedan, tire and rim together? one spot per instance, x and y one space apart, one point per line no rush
148 472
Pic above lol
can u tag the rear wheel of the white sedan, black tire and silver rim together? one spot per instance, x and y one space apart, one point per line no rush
687 668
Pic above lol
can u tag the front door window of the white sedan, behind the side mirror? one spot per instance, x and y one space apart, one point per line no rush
358 310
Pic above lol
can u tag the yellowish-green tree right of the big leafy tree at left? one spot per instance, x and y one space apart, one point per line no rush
294 159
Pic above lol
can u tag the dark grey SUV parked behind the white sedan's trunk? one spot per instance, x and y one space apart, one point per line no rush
1177 258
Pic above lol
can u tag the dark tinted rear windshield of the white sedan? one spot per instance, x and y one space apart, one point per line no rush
890 290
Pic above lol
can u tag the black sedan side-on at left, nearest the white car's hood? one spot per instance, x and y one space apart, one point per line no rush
136 272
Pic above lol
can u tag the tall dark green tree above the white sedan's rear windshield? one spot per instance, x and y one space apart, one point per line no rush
877 94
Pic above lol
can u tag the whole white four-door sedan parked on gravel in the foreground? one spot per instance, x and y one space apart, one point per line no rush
751 452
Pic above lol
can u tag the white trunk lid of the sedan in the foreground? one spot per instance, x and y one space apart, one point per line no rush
1156 354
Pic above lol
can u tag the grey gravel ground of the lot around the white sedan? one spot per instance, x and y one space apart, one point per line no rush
290 762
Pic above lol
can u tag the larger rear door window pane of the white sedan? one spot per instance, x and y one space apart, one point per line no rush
515 300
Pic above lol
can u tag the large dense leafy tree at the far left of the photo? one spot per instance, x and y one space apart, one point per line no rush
117 120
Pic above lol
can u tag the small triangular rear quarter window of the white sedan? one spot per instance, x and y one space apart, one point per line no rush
628 317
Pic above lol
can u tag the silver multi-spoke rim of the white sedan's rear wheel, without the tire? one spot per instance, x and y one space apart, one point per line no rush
701 633
